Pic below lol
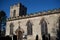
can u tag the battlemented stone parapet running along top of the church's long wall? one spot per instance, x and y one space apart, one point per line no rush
55 11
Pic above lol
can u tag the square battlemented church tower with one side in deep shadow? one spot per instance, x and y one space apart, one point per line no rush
18 10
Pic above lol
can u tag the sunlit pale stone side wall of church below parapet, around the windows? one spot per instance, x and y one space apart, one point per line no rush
51 24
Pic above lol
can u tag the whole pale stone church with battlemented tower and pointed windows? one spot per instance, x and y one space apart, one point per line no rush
36 26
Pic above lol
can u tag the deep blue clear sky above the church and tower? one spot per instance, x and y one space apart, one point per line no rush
32 5
